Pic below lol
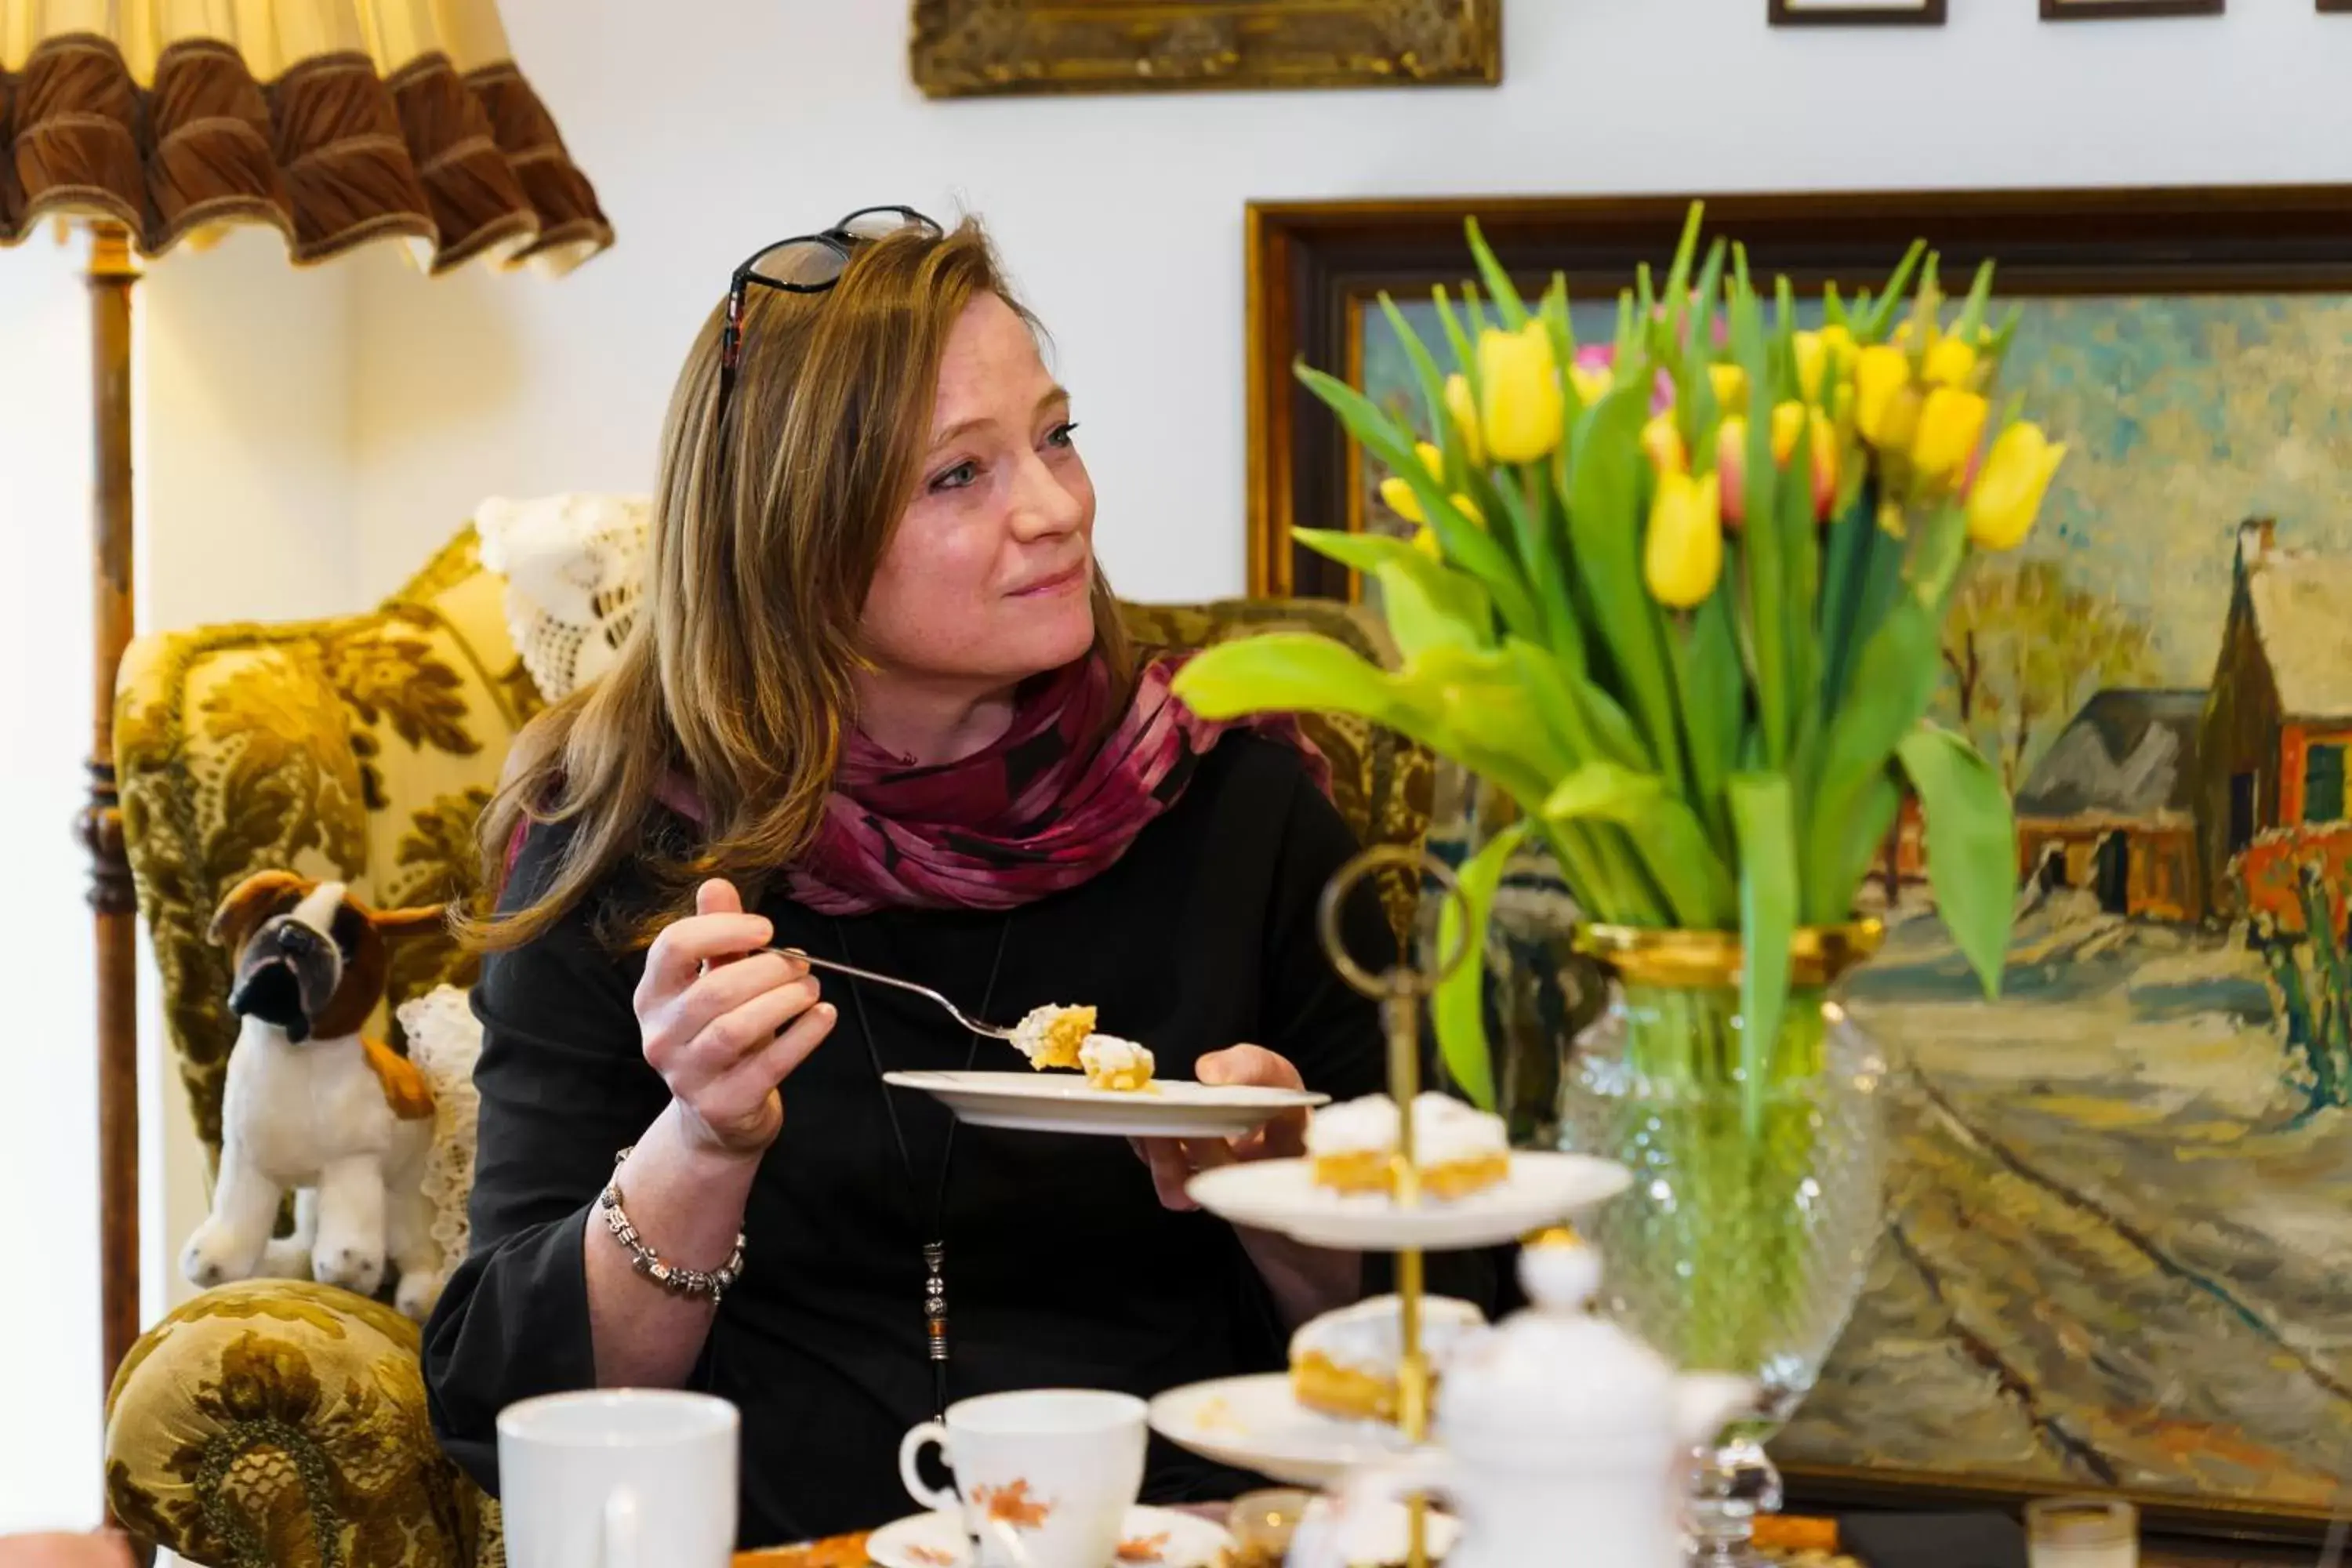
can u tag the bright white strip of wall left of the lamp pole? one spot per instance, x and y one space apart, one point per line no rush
48 1127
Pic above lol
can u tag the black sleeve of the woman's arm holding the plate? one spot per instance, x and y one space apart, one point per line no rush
1330 1031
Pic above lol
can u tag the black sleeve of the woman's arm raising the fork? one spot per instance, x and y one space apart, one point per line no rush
563 1090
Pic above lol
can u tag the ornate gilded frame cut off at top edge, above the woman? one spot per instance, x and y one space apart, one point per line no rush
980 48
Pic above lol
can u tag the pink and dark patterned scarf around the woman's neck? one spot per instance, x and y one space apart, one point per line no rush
1041 810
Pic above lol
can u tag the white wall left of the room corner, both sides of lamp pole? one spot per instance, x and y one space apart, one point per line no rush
243 497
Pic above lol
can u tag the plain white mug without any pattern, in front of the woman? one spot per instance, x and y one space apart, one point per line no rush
620 1480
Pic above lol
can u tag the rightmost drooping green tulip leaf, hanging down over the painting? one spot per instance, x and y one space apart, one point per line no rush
1972 845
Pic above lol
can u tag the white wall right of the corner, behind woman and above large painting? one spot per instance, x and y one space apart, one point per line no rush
714 126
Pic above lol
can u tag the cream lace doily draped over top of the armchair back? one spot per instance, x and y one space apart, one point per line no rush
573 572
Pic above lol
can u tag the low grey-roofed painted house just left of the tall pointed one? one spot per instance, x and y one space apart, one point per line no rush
2113 805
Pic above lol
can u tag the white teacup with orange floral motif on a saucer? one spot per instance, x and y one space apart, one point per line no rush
1045 1475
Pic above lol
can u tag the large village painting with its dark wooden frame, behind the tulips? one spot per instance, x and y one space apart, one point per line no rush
2120 1198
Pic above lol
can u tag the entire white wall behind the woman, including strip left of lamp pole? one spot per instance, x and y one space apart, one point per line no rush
309 438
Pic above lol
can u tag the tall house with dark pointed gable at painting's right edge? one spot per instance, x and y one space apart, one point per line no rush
2280 716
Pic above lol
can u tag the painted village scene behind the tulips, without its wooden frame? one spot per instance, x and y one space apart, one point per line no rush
2123 1195
